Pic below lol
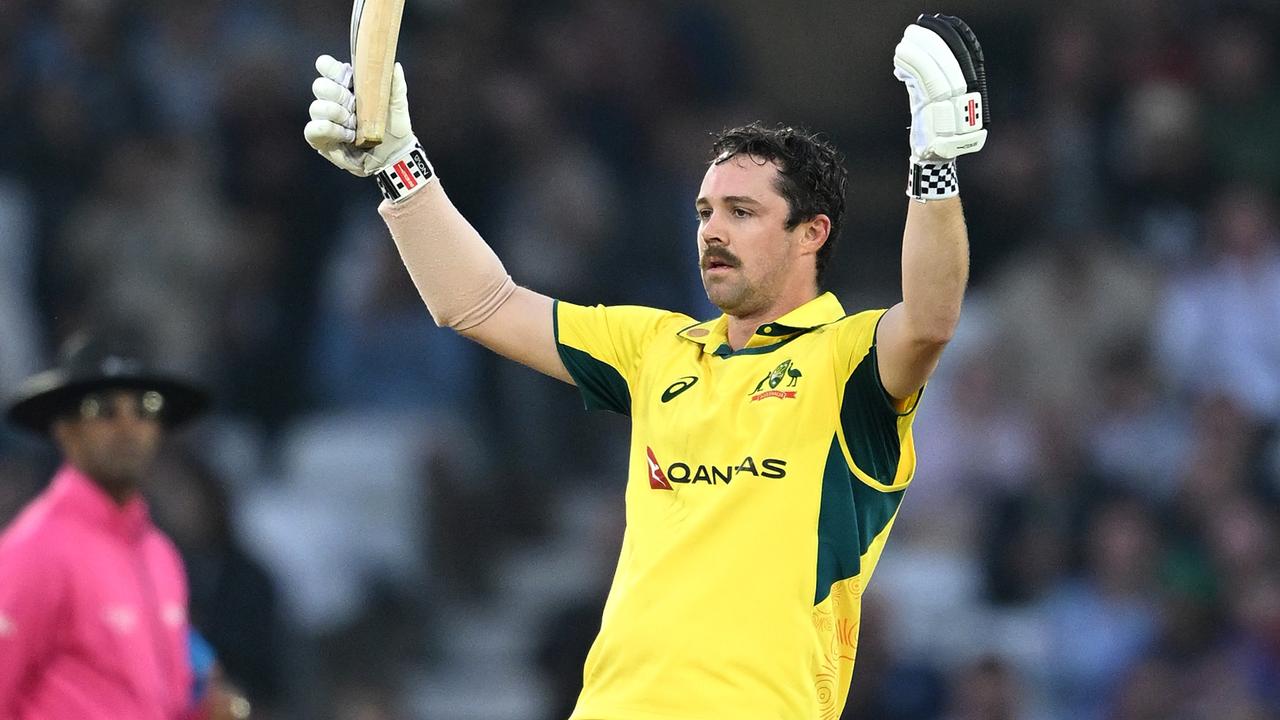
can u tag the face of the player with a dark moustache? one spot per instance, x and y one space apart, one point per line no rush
744 249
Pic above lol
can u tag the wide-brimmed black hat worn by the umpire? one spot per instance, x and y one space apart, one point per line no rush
89 364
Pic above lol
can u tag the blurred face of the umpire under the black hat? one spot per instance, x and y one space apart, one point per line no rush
113 438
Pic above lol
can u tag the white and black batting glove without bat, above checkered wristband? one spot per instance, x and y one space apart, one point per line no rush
941 65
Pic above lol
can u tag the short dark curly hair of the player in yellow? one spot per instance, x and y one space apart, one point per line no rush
812 175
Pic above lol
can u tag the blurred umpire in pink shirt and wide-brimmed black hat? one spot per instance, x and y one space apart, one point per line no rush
93 595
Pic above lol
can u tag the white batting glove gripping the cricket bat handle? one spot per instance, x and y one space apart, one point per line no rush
399 163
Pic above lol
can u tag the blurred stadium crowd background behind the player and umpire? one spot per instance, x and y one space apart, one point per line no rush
383 522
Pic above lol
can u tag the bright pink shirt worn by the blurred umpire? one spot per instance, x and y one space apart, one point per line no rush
93 610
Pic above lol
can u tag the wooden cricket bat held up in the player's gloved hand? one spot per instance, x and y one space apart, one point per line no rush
374 34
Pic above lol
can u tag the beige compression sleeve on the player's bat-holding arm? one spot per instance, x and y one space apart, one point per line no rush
456 272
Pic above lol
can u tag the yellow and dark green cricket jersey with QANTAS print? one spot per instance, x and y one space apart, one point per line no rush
762 486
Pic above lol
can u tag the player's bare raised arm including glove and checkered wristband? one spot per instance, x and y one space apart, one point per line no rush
941 65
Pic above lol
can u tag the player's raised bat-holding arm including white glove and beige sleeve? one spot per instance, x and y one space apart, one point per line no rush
461 280
